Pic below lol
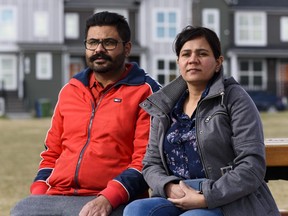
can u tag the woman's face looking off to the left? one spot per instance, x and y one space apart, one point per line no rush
197 63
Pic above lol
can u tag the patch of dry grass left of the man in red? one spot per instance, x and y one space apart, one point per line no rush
21 143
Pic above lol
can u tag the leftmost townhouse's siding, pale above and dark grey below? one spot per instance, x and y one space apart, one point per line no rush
27 44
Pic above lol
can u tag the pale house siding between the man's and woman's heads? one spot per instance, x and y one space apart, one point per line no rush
156 48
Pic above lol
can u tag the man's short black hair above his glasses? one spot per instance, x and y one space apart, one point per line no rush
106 18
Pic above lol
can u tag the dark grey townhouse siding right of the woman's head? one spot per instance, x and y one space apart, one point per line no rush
271 52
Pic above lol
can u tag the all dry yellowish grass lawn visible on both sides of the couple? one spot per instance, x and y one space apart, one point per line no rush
23 140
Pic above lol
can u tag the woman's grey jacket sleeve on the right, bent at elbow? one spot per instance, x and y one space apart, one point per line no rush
248 146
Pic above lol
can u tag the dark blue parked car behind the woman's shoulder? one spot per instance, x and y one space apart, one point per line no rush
266 101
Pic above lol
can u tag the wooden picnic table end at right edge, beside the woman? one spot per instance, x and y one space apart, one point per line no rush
277 161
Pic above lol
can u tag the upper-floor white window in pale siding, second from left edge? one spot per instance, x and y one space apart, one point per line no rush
41 24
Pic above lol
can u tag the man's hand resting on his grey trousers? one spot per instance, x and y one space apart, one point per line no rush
100 206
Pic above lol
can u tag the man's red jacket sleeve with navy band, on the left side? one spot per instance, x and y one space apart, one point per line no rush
49 155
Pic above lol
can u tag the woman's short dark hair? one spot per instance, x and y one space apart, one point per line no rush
190 33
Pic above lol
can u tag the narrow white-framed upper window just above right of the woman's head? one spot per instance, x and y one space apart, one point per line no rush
211 20
